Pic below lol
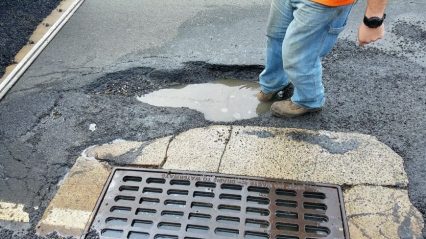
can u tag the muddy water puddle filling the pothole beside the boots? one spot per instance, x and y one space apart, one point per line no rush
222 100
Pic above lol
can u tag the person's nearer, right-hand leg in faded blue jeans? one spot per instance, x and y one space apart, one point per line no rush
310 36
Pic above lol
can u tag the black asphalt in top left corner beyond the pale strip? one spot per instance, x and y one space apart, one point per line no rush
18 20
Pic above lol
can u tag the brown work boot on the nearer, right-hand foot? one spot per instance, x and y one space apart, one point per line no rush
286 108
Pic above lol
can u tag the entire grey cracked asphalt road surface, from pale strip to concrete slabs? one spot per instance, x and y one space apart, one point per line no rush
110 52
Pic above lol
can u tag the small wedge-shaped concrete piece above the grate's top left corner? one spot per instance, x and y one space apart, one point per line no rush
154 154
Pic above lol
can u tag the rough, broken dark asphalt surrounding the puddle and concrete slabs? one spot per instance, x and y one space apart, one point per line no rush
369 91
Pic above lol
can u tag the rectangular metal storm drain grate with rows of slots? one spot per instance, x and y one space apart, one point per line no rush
139 203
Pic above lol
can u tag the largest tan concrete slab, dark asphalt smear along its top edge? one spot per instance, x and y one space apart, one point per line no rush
316 156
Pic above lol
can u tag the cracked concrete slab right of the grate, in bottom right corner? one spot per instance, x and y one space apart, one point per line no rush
380 212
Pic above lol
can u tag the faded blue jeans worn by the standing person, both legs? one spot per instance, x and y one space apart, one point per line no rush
300 33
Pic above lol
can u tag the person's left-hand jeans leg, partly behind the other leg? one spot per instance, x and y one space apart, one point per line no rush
273 77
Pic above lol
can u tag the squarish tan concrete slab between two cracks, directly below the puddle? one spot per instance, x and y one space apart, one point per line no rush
198 149
